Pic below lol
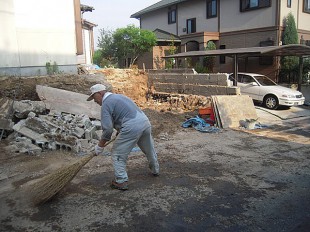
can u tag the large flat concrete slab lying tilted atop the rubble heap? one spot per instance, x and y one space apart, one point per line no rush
67 101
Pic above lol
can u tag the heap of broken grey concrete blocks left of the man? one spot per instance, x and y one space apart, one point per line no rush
54 131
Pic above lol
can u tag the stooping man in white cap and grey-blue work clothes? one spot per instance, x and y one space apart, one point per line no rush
133 126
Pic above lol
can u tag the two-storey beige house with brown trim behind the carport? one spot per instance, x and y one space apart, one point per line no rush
229 24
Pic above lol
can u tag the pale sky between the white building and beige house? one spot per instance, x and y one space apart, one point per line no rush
113 14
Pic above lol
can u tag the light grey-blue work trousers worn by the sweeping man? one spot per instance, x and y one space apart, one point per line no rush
135 131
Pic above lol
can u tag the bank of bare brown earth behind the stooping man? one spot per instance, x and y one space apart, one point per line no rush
130 82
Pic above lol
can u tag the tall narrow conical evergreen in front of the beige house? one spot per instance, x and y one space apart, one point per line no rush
289 64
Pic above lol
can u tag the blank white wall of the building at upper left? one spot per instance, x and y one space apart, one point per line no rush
37 32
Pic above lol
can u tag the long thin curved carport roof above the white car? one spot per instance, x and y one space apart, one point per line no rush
284 50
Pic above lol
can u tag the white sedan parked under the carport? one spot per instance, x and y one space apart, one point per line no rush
263 89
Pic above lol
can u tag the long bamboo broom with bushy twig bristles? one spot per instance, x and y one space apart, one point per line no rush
53 183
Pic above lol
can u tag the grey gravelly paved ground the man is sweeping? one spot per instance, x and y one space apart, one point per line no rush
234 180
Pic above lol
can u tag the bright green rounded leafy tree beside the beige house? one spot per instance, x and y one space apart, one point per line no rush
131 42
